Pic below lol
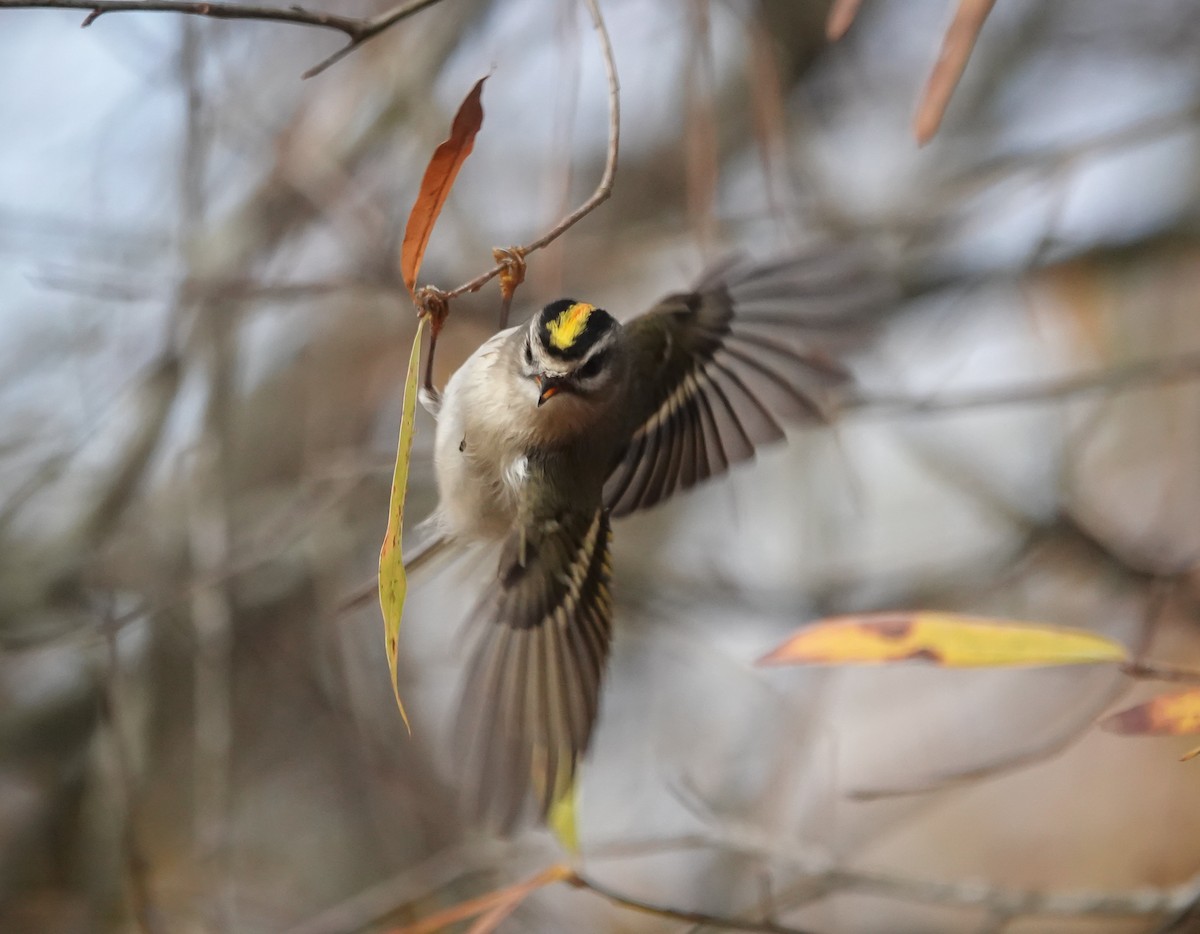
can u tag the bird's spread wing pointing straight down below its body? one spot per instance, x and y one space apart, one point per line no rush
533 681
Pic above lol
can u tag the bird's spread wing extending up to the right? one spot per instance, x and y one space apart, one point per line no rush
727 366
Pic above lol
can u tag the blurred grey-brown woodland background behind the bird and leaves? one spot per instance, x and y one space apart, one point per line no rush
202 348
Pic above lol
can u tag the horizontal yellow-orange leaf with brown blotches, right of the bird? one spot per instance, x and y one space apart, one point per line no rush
945 639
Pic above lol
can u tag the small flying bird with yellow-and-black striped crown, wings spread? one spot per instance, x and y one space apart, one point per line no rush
555 428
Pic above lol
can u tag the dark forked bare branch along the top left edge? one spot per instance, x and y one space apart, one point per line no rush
357 29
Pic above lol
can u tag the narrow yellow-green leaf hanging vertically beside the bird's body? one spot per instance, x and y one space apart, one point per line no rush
393 583
